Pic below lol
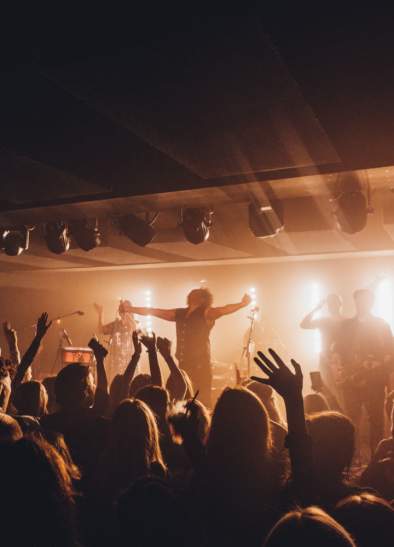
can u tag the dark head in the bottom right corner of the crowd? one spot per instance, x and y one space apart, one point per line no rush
369 519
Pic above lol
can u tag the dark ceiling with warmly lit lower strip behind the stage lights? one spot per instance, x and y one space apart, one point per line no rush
157 113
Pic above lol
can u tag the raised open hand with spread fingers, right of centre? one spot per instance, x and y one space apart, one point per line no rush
280 377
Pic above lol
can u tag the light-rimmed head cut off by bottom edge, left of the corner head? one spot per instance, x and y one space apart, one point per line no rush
308 527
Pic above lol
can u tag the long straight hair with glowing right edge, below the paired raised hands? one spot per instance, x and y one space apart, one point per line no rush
133 448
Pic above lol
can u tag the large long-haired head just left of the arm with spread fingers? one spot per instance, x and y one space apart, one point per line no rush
240 437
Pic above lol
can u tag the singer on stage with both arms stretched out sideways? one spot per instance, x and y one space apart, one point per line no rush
193 327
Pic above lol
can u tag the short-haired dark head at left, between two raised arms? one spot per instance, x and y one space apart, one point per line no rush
74 387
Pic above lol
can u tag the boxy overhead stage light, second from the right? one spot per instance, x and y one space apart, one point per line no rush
265 220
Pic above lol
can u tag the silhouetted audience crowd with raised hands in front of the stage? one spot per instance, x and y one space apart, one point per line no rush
144 463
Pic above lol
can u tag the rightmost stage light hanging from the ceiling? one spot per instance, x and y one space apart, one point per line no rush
351 207
